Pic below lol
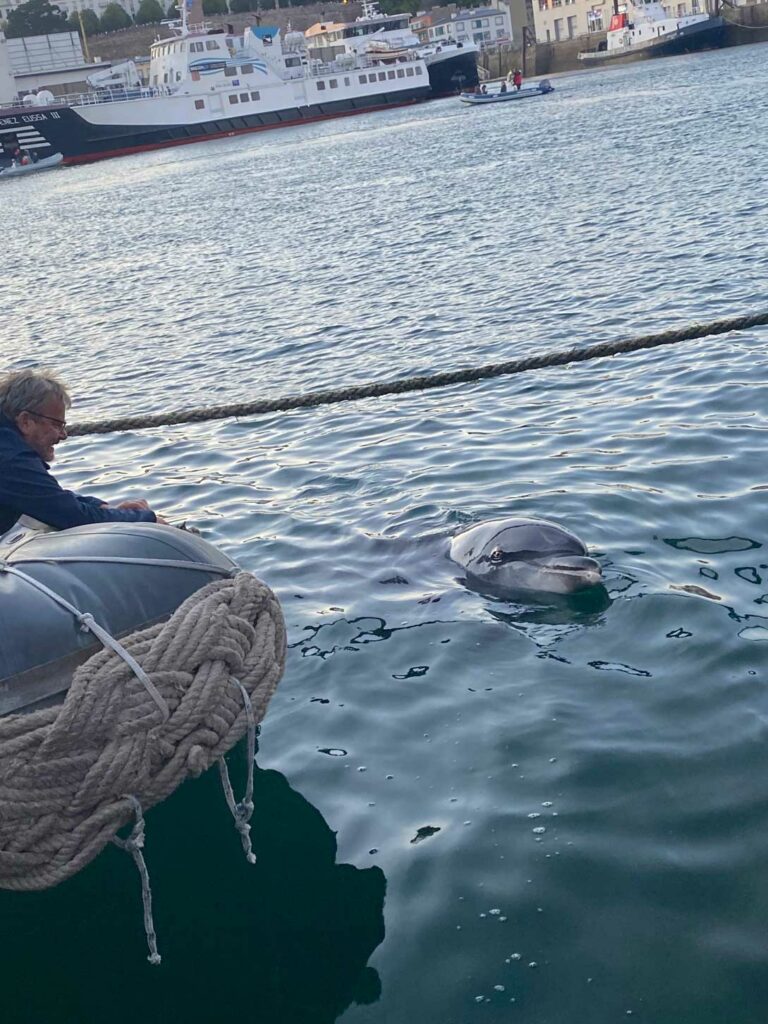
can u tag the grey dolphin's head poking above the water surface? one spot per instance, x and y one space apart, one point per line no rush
505 557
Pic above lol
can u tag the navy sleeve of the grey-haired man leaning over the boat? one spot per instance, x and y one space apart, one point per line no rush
28 488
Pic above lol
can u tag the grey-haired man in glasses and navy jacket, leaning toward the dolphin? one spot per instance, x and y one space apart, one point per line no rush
33 408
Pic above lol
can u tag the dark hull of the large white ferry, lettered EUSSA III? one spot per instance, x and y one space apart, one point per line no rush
62 130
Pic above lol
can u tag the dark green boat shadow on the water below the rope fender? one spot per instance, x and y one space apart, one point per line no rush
286 942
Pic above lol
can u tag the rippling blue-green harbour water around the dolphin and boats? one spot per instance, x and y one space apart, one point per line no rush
466 809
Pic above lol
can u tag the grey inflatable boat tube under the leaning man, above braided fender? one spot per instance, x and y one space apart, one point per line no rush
127 576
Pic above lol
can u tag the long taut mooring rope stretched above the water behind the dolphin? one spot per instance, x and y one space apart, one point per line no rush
559 358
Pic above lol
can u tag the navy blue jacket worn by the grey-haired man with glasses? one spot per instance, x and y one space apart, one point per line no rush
28 489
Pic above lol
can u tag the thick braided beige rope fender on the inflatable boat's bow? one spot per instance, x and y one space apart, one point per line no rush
71 776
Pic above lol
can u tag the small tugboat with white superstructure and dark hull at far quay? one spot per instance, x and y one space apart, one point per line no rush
642 29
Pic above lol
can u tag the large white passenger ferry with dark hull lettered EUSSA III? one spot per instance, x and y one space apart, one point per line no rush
207 84
